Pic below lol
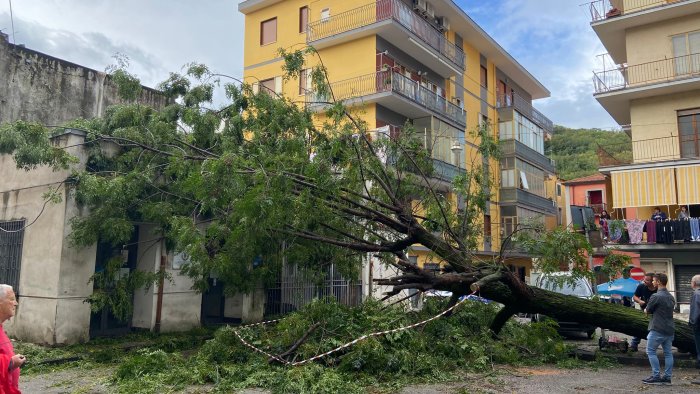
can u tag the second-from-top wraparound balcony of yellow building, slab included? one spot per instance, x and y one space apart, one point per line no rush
394 91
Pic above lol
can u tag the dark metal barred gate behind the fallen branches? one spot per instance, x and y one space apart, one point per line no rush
296 288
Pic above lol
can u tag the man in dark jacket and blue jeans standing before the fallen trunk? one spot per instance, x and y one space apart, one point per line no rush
661 331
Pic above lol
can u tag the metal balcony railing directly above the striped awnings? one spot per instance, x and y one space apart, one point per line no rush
649 150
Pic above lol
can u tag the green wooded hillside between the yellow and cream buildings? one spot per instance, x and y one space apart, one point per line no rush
575 151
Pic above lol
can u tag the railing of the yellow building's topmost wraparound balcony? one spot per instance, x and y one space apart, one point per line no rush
382 10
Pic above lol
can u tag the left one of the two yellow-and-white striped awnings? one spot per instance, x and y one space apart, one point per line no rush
644 188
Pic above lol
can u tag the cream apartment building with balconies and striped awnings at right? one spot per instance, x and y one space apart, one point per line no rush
651 86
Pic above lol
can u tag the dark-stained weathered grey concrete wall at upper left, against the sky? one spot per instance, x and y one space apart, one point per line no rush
38 87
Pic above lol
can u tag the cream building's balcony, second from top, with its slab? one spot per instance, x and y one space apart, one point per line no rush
614 89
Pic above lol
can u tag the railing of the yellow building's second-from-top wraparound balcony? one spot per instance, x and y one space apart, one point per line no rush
390 81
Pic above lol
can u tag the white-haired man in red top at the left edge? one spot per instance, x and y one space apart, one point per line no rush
9 361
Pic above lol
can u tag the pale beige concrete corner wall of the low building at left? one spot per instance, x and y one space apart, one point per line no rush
53 275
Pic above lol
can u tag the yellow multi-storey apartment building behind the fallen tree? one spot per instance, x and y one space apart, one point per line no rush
427 63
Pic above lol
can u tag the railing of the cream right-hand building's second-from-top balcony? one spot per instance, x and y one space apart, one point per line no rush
667 70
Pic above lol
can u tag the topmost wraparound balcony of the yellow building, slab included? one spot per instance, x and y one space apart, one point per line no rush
398 24
